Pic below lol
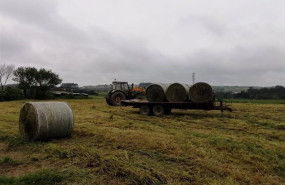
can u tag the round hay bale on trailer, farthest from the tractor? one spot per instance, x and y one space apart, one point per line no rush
201 93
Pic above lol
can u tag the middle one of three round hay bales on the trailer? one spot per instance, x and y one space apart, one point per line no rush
177 92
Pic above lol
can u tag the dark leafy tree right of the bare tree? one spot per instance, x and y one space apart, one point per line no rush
35 83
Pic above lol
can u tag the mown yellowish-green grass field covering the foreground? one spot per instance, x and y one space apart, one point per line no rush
116 145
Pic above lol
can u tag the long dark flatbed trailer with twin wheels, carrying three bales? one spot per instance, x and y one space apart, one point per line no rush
161 108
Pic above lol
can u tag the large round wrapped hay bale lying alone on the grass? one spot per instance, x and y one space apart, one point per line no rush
45 120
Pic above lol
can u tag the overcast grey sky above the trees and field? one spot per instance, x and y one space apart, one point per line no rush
236 42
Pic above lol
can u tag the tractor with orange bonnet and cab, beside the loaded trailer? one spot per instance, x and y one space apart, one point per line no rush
122 91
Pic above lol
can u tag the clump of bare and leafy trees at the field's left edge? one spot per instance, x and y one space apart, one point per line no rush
32 82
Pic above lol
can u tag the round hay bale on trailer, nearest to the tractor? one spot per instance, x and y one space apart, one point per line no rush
156 92
